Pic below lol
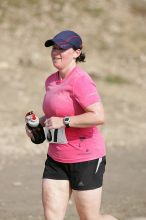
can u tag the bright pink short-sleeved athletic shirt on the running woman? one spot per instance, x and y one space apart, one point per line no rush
70 97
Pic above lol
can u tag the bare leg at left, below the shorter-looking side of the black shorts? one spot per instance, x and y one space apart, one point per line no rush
55 197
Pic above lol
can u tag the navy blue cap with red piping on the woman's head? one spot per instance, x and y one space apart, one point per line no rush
65 40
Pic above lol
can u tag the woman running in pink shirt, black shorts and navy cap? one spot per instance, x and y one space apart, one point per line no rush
73 113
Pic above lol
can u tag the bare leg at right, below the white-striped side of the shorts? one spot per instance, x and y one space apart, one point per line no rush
88 205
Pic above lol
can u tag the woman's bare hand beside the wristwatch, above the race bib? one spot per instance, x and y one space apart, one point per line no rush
54 123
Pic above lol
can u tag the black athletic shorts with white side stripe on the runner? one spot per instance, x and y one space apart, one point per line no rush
82 176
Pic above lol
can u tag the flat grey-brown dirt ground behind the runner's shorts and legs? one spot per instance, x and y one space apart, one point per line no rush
123 195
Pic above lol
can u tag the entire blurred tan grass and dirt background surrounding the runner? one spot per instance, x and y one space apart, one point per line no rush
114 36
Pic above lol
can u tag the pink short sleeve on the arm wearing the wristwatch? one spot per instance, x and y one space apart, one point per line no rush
85 91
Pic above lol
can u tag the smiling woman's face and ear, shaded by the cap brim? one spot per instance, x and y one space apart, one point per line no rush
63 59
